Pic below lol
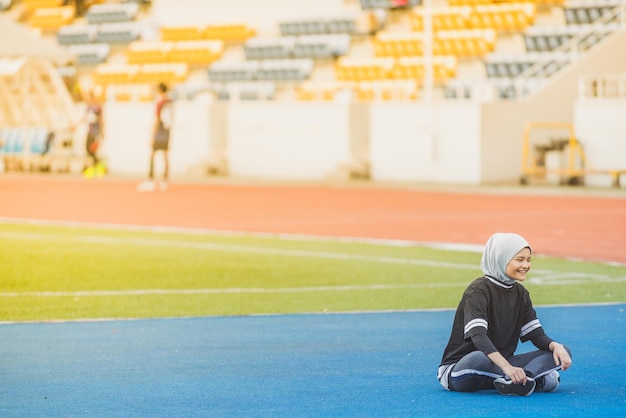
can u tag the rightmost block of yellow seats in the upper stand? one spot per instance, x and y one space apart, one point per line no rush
503 16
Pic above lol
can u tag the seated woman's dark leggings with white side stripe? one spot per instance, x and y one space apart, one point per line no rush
476 371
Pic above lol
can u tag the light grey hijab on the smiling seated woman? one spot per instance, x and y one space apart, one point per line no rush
499 250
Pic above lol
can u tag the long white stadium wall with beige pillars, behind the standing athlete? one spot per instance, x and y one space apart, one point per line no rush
304 140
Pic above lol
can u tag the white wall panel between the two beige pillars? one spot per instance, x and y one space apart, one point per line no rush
288 140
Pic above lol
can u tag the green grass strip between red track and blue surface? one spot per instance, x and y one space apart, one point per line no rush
61 272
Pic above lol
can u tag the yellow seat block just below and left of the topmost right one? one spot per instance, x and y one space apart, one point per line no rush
465 43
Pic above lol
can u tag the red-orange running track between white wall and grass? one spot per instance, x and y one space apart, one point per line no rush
589 226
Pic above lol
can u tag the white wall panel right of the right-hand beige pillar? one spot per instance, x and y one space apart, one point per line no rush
418 143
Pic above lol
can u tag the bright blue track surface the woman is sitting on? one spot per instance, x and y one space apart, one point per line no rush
330 365
